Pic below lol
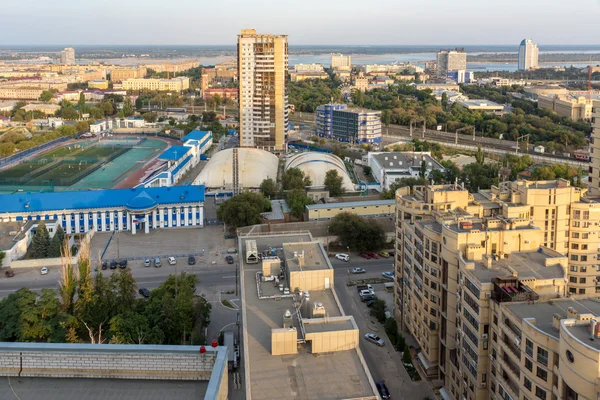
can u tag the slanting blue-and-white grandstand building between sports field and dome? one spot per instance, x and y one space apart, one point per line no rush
178 160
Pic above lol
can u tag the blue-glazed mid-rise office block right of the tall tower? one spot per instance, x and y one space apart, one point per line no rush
350 125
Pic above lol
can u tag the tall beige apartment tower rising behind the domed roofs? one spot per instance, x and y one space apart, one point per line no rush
263 68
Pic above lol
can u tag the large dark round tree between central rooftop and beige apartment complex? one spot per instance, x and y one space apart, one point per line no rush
357 233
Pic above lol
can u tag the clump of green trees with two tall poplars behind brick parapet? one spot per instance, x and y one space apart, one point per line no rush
95 309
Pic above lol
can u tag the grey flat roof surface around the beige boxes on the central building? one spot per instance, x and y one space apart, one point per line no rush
338 375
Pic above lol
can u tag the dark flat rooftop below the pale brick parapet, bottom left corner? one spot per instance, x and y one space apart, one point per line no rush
100 389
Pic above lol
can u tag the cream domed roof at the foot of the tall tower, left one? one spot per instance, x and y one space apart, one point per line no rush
254 166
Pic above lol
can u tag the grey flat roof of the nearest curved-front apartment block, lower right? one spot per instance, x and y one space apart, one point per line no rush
543 313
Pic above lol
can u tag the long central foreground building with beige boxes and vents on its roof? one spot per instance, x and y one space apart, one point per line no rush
297 340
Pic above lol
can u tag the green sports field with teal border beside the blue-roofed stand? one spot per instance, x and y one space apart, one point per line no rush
92 164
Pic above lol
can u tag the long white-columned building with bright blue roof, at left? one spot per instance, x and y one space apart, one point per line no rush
110 209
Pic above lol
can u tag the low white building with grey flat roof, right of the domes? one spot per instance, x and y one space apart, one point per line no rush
388 167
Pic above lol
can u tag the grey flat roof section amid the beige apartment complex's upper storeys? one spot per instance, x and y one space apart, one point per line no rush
530 264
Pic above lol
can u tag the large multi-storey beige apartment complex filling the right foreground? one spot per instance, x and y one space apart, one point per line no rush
467 263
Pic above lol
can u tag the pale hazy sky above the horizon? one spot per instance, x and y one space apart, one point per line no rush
384 22
